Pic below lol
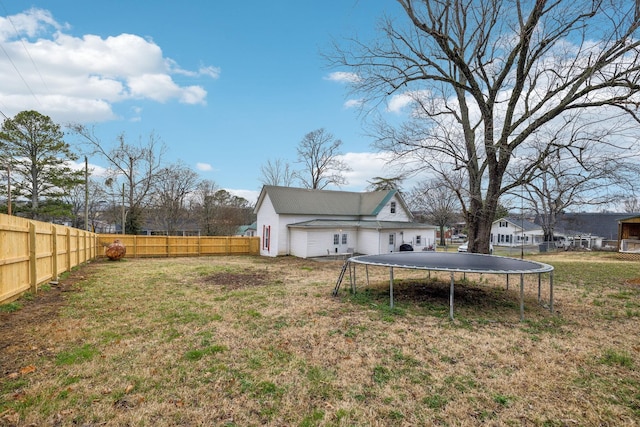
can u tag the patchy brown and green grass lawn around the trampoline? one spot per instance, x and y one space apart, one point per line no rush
249 341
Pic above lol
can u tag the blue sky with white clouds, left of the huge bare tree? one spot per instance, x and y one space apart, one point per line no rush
225 85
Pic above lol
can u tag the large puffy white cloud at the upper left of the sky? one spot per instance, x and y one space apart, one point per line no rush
80 79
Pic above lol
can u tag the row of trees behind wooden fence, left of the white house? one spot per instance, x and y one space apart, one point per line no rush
138 192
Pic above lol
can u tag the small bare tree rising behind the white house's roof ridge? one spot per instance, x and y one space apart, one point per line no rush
318 152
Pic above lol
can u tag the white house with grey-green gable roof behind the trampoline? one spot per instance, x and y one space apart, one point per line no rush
310 223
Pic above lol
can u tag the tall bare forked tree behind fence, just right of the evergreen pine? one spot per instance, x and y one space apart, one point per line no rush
133 172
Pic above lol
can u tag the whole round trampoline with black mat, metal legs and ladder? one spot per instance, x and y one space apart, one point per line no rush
453 263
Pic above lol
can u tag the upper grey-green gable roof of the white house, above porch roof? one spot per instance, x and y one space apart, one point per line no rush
304 201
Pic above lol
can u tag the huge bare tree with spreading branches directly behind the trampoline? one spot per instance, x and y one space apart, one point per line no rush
482 78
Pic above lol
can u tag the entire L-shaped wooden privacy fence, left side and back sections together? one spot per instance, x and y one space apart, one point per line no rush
34 252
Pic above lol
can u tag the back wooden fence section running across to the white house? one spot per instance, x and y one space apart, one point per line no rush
139 246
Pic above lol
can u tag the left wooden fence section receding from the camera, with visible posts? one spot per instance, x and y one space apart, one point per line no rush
34 252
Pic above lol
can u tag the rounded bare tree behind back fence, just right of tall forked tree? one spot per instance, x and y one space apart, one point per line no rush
170 196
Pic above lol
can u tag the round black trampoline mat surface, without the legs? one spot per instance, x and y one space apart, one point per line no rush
453 261
